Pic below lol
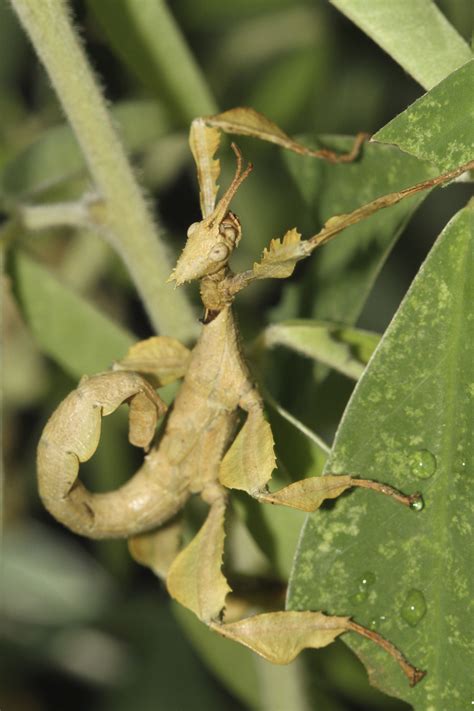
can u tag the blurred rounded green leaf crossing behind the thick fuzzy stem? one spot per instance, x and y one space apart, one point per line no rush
56 156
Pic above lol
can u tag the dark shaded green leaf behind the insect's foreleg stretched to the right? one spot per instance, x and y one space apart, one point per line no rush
341 276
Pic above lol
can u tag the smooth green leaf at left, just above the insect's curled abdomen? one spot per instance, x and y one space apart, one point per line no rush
69 329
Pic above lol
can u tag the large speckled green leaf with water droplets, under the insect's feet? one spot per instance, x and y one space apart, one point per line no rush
408 424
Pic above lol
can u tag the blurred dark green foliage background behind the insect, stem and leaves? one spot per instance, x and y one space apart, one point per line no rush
82 625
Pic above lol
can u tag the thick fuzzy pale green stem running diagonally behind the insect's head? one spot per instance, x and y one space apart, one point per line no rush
128 222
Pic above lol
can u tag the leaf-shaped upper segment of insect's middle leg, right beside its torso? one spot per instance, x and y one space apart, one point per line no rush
249 462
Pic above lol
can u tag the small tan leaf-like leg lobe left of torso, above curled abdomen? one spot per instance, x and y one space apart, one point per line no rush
161 358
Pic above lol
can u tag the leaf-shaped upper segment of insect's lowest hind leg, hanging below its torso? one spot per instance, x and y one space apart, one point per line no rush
195 579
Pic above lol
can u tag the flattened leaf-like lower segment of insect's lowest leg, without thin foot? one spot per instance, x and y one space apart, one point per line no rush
280 636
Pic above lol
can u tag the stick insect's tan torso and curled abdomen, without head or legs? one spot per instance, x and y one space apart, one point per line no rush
185 459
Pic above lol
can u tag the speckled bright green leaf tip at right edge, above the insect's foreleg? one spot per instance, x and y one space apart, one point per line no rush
439 126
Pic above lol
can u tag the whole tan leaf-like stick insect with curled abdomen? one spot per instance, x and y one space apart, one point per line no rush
198 452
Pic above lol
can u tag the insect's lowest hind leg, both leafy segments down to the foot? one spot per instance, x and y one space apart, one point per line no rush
196 581
